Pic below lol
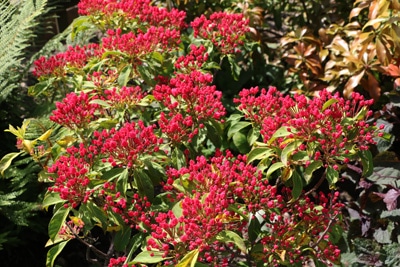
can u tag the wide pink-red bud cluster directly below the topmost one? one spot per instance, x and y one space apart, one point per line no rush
154 39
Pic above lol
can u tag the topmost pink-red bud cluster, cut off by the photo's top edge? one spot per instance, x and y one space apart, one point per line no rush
140 10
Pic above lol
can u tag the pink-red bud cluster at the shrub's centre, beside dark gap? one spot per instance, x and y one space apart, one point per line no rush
191 102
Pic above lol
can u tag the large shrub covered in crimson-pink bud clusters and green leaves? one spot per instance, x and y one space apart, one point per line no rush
140 141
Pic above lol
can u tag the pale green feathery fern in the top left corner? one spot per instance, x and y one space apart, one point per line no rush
17 20
